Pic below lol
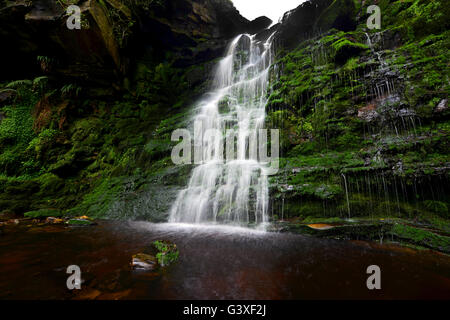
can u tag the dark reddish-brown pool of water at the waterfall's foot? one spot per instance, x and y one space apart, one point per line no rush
215 263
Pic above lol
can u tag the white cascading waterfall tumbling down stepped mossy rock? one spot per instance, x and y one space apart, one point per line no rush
232 191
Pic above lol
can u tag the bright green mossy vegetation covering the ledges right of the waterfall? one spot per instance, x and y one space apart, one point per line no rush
360 131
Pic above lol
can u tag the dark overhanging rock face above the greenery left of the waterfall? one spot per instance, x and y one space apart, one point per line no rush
114 34
